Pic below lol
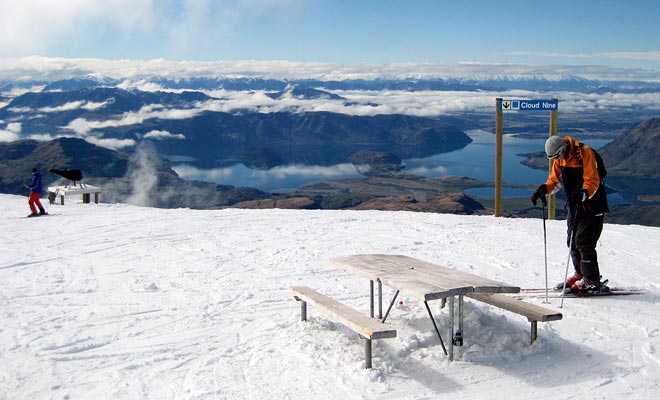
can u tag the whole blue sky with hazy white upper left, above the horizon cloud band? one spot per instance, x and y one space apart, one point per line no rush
607 33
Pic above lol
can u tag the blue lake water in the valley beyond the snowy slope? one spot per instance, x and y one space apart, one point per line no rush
476 160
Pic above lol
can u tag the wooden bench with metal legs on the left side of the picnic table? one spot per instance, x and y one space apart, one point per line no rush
366 327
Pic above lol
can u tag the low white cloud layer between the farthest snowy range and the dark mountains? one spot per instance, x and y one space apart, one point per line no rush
367 103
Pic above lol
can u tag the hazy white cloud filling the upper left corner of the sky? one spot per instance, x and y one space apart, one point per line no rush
174 26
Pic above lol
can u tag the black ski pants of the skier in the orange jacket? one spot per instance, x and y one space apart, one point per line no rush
586 231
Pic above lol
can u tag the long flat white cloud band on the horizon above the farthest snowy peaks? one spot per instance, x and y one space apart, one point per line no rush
40 68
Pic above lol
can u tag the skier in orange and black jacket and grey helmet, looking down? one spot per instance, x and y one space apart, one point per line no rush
575 168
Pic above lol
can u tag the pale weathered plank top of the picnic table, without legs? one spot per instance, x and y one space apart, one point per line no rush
418 278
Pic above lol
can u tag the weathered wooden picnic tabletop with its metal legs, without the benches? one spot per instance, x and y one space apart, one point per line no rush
422 280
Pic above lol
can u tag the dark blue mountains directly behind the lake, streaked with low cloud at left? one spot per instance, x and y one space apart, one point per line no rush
208 138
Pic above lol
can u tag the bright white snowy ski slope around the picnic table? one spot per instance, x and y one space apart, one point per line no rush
122 302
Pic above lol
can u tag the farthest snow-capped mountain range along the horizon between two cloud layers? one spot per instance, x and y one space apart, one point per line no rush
491 82
